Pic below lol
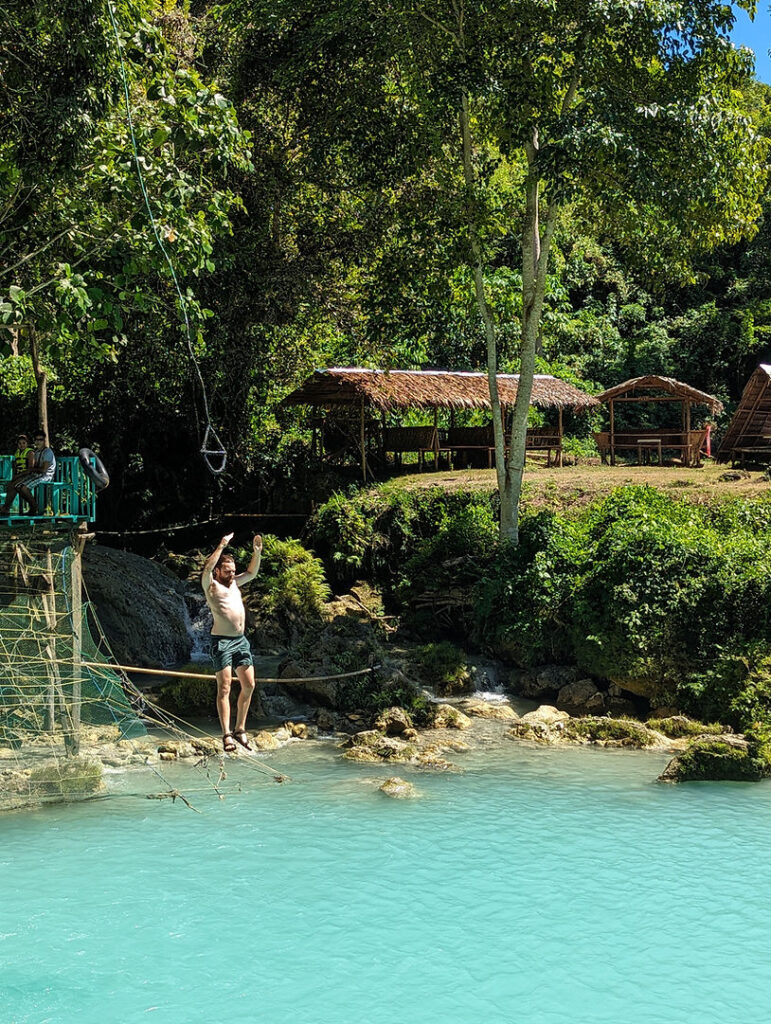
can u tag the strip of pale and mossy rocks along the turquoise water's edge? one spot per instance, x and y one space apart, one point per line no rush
390 740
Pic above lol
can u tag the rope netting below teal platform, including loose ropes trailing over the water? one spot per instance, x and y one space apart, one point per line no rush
66 709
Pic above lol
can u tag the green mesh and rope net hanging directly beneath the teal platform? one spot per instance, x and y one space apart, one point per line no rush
50 702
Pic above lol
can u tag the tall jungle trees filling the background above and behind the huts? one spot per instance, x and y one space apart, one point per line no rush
573 188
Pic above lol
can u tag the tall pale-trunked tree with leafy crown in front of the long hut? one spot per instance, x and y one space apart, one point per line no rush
629 108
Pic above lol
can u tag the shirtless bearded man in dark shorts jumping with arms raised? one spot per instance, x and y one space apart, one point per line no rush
229 646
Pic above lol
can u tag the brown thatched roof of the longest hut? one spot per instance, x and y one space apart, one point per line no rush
391 390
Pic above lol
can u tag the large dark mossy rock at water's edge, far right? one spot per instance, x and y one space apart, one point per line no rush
730 758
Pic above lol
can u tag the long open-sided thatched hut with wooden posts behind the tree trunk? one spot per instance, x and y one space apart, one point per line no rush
391 391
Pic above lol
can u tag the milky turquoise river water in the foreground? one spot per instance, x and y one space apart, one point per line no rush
539 886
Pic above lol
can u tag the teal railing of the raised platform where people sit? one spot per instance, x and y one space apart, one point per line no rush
70 497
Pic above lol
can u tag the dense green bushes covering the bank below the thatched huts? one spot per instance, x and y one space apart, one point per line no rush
664 598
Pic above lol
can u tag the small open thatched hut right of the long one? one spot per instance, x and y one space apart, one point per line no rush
657 390
